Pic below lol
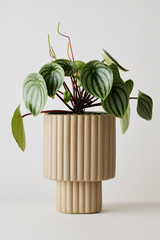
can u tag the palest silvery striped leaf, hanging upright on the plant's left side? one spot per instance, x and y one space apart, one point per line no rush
34 93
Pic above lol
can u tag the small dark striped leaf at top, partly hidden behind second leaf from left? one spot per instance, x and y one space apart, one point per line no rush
68 66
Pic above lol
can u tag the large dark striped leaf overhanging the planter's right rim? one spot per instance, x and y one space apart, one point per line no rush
116 102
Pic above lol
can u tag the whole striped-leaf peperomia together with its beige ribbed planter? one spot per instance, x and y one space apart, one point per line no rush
79 146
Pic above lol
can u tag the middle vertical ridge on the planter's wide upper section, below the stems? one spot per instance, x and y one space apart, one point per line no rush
80 149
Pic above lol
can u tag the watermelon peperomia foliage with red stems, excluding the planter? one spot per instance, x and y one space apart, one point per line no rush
96 83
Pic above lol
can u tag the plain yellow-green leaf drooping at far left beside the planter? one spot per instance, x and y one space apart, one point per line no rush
18 129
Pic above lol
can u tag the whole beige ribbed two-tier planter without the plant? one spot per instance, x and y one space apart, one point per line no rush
79 153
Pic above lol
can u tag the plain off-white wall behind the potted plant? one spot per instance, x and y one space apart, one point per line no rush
130 31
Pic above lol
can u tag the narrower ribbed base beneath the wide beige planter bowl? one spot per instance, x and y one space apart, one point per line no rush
78 197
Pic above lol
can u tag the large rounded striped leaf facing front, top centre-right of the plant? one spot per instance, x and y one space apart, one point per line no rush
97 78
